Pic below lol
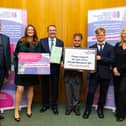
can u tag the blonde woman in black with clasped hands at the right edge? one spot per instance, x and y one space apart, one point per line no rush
120 77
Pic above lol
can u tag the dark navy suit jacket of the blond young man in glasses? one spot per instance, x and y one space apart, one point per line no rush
104 66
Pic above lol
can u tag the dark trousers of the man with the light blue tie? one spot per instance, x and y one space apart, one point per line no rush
50 90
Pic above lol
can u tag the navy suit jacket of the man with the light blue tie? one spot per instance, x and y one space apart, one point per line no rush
44 44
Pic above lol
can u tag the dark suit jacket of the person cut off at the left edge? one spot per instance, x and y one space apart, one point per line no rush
5 57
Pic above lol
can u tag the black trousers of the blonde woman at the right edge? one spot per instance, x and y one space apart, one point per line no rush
120 95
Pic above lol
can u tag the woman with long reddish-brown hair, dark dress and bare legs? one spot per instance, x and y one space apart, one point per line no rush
28 43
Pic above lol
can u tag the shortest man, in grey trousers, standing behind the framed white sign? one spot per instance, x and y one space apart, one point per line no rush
73 83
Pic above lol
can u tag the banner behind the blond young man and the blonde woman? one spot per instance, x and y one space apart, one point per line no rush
113 20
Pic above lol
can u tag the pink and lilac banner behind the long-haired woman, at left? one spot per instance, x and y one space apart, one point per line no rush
13 25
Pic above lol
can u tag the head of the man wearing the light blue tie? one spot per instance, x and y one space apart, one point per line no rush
51 31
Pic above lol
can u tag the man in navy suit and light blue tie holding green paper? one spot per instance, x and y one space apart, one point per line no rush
50 81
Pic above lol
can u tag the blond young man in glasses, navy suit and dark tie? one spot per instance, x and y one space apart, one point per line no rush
102 75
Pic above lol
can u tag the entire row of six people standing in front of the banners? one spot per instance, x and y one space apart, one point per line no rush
111 63
